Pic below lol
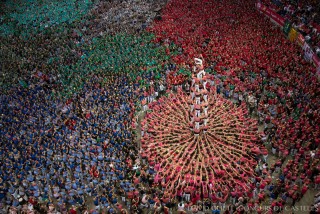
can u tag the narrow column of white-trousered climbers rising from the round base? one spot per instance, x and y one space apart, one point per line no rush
199 99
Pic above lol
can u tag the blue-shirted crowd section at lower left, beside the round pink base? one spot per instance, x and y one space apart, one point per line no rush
65 150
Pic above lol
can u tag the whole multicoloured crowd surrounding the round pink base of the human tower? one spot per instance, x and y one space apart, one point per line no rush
67 132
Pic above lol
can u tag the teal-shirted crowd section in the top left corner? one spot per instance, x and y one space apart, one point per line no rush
24 18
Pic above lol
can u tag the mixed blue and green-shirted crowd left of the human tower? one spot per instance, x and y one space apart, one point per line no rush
66 132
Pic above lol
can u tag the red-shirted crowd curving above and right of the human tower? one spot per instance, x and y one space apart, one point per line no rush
258 66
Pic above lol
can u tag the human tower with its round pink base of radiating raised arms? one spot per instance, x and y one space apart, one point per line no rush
201 140
